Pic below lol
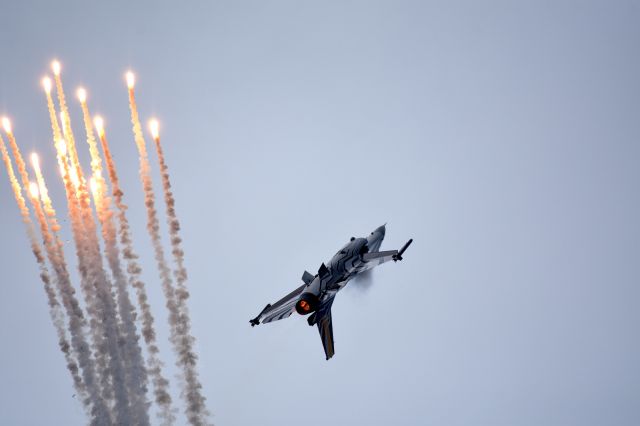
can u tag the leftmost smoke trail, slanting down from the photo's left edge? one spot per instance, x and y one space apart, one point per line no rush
54 307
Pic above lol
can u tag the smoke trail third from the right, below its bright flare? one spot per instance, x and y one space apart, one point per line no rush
160 383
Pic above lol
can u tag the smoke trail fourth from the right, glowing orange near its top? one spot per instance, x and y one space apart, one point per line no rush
136 374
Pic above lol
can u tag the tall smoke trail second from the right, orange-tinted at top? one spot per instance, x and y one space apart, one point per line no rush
181 340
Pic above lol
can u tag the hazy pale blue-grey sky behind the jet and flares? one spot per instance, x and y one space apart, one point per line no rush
504 137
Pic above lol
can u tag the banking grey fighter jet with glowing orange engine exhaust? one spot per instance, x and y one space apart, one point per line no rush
316 295
